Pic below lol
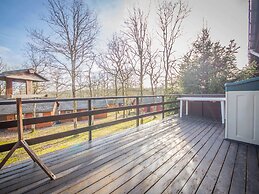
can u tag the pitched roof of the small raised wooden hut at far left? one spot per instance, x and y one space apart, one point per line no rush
22 75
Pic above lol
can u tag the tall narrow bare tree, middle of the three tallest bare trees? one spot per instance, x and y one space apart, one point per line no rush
137 35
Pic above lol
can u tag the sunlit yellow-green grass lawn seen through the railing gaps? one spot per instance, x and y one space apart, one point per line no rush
62 143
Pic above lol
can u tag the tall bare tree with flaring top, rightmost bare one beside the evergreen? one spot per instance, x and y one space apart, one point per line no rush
171 16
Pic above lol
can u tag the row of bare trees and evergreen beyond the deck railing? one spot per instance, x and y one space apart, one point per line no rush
66 54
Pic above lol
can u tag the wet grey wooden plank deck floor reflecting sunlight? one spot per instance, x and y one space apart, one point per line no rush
171 156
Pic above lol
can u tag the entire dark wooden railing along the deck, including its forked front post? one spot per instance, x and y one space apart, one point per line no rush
20 122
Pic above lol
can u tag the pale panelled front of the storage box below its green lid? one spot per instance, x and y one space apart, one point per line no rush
243 116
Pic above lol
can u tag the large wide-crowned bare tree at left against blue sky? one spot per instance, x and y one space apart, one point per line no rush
74 28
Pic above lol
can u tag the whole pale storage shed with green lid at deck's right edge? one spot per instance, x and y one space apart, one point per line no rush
242 111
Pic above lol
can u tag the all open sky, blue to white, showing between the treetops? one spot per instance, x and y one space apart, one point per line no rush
226 19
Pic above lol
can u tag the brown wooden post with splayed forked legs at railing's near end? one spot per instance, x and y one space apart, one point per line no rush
22 143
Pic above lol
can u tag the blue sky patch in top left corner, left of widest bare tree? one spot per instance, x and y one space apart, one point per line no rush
15 18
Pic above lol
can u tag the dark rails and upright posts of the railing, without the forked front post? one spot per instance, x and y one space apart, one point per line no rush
89 113
